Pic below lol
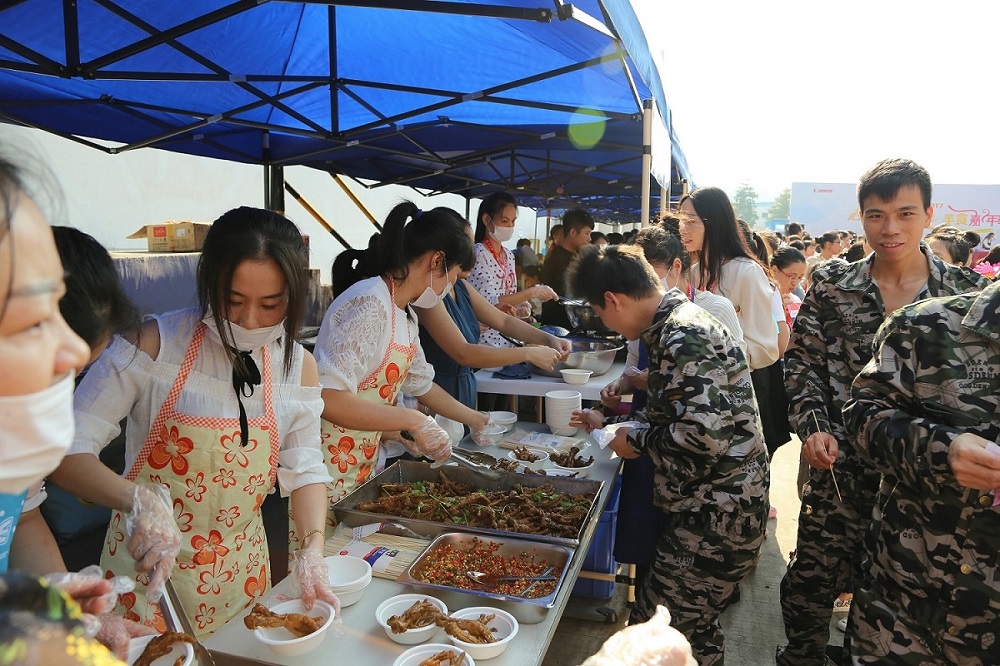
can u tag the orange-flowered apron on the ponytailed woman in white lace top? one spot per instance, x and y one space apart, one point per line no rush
351 455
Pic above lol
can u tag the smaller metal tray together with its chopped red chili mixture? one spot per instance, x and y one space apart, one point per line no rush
442 570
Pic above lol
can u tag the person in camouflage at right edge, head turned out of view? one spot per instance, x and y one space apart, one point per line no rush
926 413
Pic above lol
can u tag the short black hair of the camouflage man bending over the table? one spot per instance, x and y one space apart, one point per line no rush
620 269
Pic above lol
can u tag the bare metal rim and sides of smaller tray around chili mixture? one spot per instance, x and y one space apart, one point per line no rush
528 611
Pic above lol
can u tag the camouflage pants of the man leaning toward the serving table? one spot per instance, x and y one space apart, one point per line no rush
700 559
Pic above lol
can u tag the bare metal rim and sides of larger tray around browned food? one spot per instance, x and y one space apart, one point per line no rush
408 471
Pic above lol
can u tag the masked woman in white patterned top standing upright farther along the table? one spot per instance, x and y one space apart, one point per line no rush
493 275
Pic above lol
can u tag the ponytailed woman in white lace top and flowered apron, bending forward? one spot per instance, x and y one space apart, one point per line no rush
368 347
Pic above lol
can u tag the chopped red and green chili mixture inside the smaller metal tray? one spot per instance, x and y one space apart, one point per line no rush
448 565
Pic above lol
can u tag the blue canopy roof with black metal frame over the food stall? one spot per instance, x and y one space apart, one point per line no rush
540 97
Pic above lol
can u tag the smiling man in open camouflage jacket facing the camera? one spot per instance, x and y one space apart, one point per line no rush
831 342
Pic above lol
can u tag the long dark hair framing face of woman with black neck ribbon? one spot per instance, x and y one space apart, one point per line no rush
252 234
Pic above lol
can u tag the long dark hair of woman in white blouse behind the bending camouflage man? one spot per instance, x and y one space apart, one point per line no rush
723 239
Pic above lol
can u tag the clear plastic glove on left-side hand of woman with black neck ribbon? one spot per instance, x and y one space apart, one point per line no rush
153 536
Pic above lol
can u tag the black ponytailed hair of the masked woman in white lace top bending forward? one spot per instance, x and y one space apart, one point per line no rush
407 235
